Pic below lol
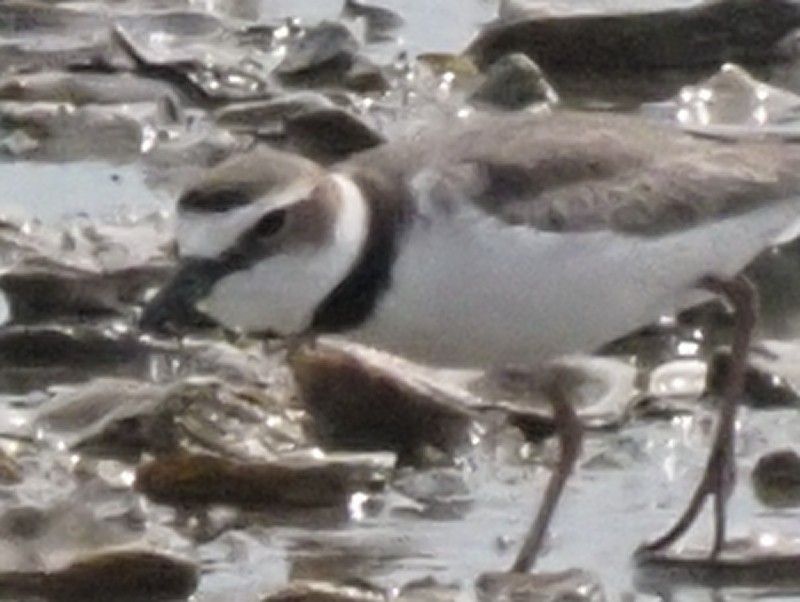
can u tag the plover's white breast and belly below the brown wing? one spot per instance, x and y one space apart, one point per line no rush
472 291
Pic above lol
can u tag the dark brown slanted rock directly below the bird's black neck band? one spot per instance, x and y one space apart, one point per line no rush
359 398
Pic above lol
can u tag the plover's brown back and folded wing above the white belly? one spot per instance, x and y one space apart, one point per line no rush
573 172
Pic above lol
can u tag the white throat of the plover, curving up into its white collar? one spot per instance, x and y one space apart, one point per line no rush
282 292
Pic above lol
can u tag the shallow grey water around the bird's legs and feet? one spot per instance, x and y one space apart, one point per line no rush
606 513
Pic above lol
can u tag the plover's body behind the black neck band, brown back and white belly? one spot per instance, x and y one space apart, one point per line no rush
539 236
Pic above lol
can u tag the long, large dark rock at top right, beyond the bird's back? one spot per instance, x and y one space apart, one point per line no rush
656 51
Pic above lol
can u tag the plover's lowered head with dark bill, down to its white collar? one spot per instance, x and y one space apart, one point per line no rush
263 239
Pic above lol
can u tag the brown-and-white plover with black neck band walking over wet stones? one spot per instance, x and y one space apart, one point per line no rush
501 240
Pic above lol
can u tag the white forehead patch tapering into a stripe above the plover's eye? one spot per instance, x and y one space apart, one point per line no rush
208 235
